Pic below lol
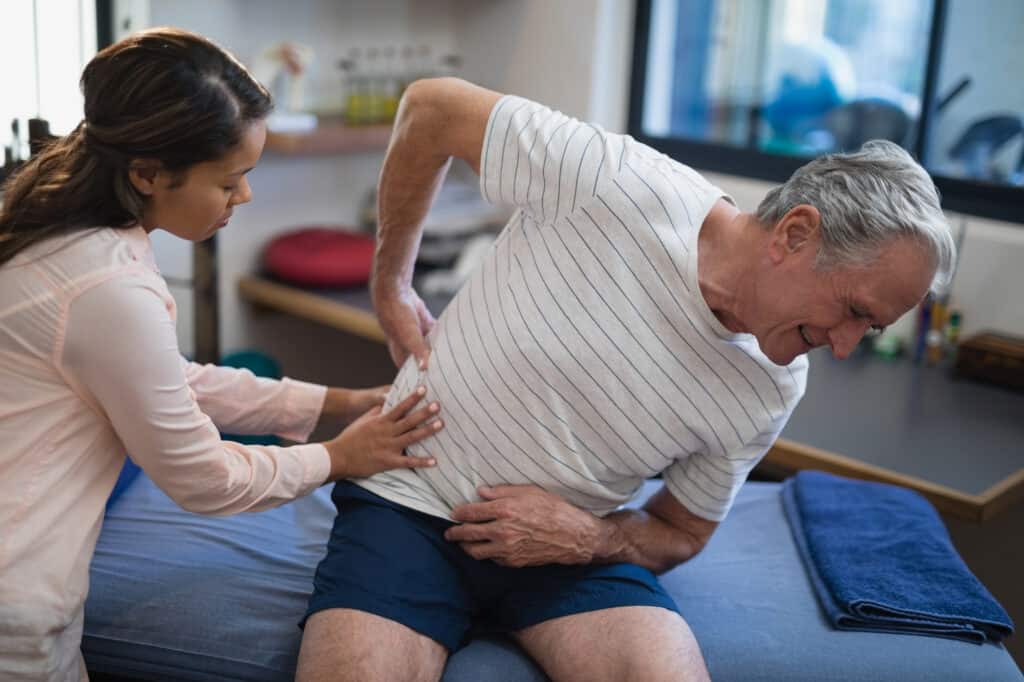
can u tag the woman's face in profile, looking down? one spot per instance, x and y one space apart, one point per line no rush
196 206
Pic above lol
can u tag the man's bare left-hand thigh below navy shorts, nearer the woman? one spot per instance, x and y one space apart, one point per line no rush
347 646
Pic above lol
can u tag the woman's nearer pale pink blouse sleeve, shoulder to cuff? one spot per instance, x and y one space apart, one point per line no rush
121 351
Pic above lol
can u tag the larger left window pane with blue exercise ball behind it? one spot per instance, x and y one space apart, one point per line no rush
796 77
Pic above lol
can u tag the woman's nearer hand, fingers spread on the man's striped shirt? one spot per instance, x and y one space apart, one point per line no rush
376 442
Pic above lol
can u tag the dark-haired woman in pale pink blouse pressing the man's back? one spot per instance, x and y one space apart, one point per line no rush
90 364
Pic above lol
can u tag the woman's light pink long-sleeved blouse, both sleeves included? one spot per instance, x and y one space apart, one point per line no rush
91 371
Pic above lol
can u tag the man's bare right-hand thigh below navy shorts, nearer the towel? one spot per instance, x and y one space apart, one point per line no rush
631 644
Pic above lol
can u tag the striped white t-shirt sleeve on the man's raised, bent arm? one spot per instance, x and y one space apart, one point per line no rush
543 162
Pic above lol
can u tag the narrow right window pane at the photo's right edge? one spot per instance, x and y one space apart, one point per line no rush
976 132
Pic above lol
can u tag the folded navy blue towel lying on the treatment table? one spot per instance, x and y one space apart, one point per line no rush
881 561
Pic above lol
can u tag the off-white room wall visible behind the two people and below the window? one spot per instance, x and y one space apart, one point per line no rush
574 56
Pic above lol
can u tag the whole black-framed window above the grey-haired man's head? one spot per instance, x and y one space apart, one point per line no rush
756 88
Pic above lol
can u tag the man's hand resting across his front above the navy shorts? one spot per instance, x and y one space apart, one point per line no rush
523 526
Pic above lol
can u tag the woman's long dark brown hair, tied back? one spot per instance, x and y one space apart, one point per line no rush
165 95
